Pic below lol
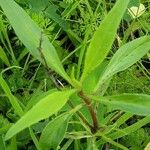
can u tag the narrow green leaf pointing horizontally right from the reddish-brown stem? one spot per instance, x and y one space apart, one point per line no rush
138 104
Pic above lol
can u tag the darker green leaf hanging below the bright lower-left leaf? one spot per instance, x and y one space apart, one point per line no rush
54 132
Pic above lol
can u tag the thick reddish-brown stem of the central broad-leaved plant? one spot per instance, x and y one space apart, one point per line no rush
91 110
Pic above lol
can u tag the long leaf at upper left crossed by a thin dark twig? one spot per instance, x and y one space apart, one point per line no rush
30 35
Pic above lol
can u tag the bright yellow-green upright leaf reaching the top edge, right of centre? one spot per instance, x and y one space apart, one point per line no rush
104 37
